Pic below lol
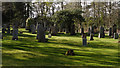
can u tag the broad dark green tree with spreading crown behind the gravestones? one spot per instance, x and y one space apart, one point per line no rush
68 18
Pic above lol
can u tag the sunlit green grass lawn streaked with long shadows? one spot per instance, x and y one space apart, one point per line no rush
28 52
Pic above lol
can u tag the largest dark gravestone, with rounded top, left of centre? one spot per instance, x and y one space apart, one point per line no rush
41 33
